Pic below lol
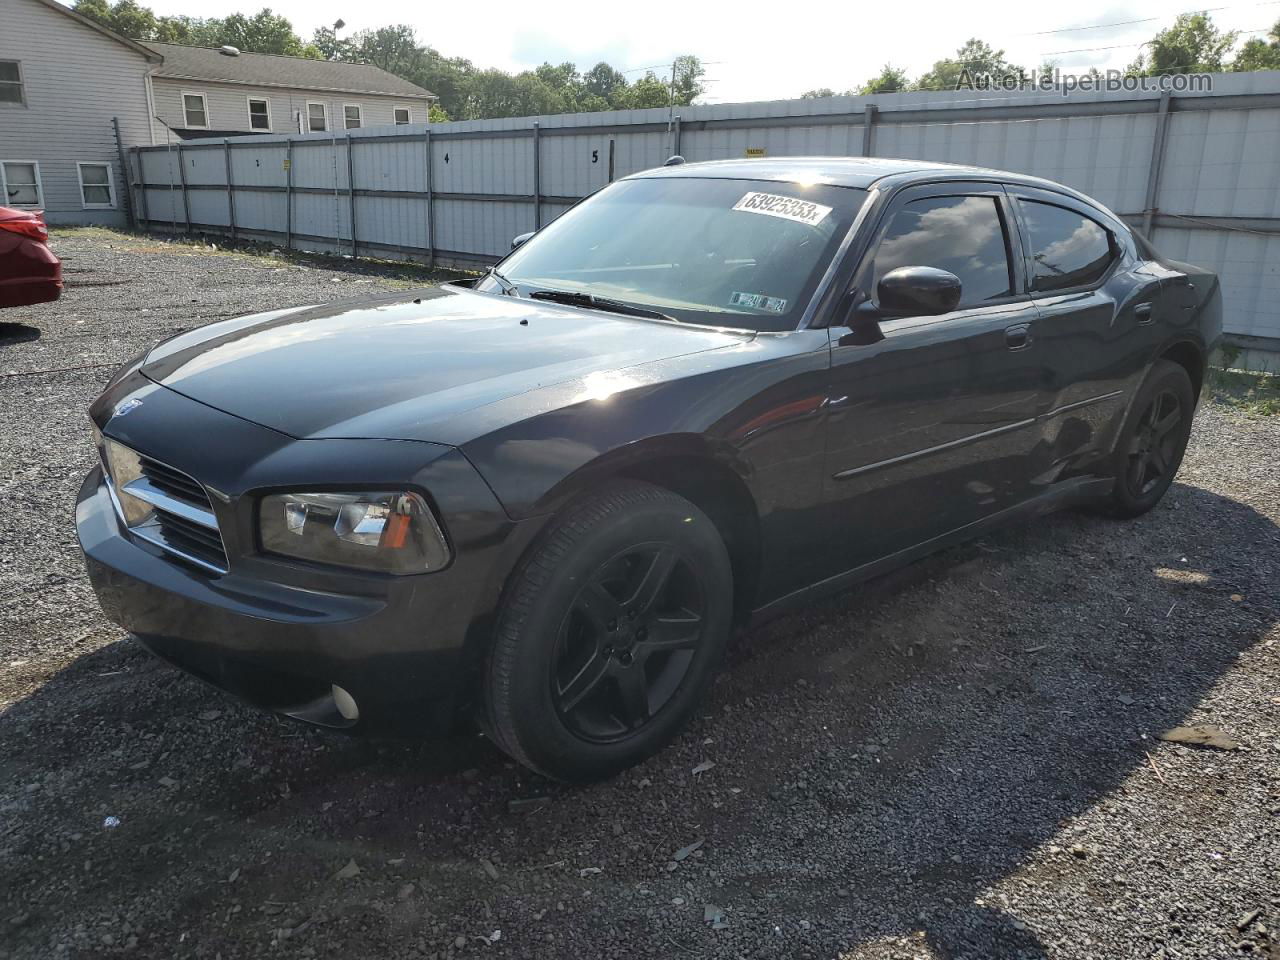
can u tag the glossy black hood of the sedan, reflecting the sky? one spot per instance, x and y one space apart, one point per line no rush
390 368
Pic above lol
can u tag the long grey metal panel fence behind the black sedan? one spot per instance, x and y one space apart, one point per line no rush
1200 172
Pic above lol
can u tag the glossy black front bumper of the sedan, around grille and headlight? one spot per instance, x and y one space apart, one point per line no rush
280 636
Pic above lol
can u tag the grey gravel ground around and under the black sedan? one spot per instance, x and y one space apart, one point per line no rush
958 761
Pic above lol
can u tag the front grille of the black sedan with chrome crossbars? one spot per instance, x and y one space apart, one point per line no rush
164 506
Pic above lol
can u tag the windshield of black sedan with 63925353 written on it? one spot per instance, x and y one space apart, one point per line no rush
744 254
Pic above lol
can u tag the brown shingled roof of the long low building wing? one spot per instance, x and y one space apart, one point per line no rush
202 63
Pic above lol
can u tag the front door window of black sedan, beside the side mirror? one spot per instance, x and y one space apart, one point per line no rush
964 236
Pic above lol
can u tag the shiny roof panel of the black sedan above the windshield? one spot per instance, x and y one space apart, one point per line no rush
847 172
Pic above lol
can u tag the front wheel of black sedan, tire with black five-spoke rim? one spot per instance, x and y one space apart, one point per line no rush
593 669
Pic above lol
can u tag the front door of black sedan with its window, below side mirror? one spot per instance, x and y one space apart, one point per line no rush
931 419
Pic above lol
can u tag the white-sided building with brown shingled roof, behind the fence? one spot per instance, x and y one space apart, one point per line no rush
67 85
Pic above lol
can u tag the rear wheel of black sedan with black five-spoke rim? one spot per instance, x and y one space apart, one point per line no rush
1154 440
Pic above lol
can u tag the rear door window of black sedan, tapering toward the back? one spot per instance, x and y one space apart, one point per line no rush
1068 249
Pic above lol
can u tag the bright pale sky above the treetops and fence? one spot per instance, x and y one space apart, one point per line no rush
758 51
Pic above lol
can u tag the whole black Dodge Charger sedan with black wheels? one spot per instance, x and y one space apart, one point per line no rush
711 392
